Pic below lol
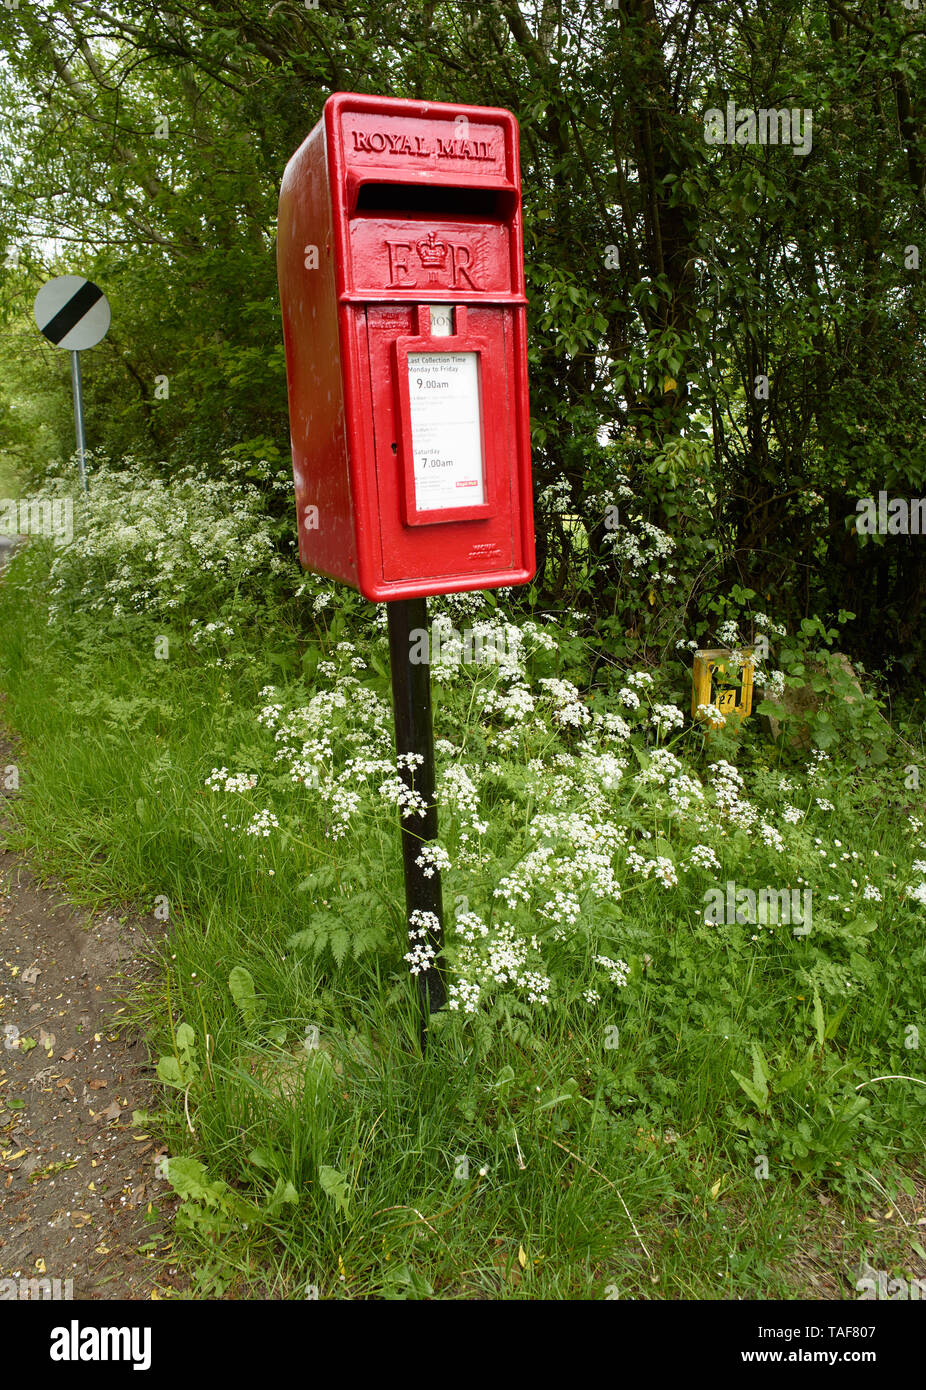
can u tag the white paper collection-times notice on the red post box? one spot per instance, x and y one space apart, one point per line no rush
447 437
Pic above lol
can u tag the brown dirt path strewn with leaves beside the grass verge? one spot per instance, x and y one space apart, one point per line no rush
80 1196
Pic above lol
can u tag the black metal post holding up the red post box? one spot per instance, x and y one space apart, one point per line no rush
415 736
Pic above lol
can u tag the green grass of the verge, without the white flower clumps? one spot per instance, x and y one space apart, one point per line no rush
526 1161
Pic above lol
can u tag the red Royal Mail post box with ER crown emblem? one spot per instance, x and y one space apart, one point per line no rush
403 290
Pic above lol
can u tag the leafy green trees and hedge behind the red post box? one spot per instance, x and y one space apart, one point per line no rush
667 276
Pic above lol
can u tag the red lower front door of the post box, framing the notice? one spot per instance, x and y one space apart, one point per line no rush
464 526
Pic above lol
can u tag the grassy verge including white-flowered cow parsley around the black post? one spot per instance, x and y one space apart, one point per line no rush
607 1028
